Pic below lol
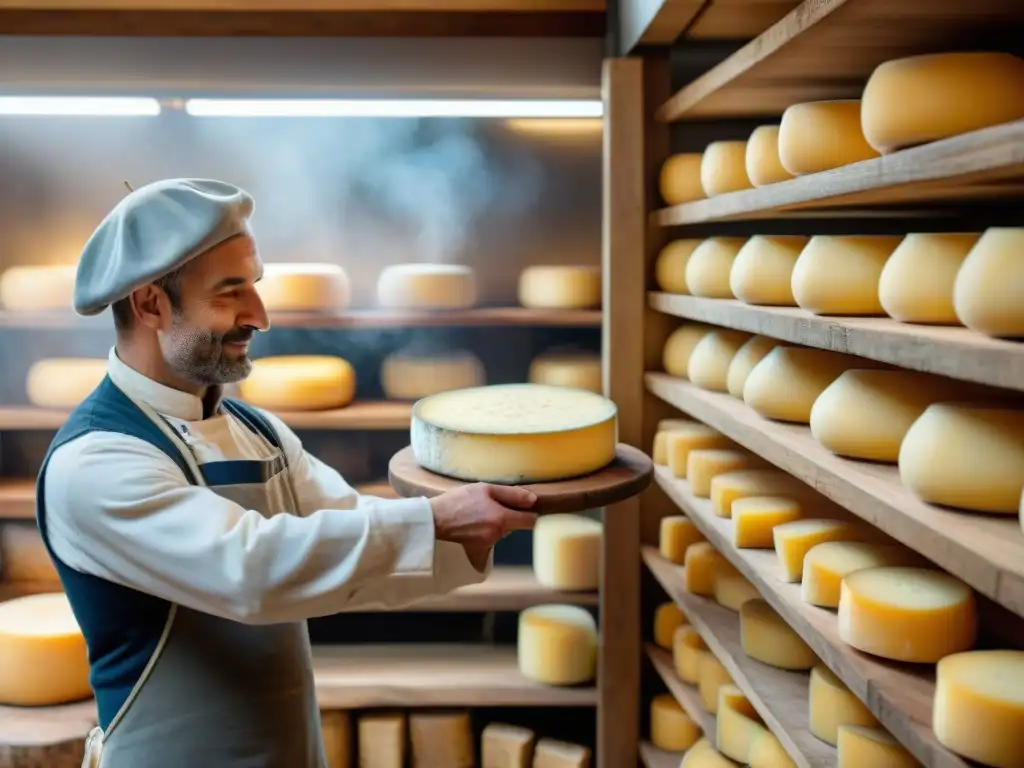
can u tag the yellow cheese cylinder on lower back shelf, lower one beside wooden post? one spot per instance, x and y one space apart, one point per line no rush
558 645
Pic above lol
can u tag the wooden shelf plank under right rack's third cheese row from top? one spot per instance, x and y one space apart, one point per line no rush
987 552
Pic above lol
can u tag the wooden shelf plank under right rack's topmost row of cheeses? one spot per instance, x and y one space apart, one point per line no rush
983 164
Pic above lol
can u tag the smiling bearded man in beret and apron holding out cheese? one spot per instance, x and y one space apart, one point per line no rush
194 535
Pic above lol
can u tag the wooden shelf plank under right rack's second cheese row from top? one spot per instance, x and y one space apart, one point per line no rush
953 352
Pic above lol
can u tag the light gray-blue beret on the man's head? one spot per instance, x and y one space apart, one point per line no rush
153 232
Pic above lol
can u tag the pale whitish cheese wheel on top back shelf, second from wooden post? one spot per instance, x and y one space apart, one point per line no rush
426 287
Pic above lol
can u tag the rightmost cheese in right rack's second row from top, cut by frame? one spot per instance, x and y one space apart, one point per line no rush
991 283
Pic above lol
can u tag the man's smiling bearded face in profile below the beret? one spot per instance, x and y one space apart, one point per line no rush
219 314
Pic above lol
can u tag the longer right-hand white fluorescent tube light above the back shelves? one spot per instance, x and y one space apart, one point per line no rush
412 108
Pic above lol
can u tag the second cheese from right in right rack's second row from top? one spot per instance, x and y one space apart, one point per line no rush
917 283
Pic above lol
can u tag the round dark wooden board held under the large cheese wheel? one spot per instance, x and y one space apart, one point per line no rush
629 475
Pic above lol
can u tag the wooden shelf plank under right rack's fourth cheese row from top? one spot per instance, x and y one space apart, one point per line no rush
901 696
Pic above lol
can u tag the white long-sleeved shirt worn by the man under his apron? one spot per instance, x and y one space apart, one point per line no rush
119 508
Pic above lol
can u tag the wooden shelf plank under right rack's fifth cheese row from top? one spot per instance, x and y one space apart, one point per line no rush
780 697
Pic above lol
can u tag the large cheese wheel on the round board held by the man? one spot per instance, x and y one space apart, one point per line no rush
515 434
